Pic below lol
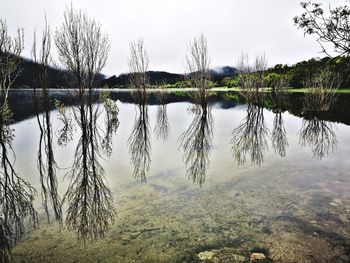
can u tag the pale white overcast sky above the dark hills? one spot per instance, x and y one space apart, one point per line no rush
231 27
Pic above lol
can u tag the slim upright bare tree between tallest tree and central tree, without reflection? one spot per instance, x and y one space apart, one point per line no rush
138 66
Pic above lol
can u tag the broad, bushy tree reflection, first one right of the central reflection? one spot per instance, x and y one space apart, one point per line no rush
249 138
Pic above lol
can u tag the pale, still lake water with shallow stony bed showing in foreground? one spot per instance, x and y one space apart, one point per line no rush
232 179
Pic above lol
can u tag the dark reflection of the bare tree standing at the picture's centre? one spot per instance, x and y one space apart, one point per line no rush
197 143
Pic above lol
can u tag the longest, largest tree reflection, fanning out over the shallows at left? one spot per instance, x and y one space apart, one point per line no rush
90 209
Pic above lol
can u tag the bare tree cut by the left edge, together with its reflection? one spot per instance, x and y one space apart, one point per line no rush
16 195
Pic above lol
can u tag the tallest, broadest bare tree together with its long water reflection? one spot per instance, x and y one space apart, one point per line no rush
83 51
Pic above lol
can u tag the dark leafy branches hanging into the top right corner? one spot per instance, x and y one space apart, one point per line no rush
330 26
